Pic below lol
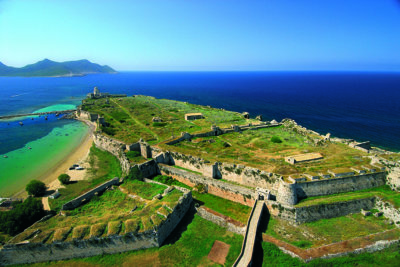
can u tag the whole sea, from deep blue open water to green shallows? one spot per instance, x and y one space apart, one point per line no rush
360 105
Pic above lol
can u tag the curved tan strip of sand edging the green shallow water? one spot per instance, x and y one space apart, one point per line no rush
79 154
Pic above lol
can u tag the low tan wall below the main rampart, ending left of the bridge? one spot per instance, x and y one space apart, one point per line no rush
216 187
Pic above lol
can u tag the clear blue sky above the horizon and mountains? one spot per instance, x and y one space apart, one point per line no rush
204 35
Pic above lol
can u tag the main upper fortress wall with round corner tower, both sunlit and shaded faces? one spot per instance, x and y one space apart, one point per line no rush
285 193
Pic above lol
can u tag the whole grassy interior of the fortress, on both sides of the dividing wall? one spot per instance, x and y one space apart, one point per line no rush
130 119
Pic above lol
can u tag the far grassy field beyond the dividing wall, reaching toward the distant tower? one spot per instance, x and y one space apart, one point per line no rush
130 118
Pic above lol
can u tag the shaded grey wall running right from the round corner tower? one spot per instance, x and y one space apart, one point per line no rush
340 185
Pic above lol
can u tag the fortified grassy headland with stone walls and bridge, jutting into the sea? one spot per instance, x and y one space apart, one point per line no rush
207 182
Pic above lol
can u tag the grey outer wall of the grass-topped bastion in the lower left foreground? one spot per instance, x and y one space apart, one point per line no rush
26 252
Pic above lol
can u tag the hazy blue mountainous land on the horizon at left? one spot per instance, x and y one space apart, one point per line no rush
50 68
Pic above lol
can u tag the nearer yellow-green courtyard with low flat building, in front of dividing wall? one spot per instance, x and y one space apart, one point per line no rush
255 148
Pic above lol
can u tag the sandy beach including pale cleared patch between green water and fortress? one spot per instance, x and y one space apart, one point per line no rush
77 156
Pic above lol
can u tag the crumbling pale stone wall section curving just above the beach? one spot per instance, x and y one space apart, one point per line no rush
114 147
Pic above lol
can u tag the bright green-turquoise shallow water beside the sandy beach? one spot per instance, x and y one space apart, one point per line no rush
25 164
